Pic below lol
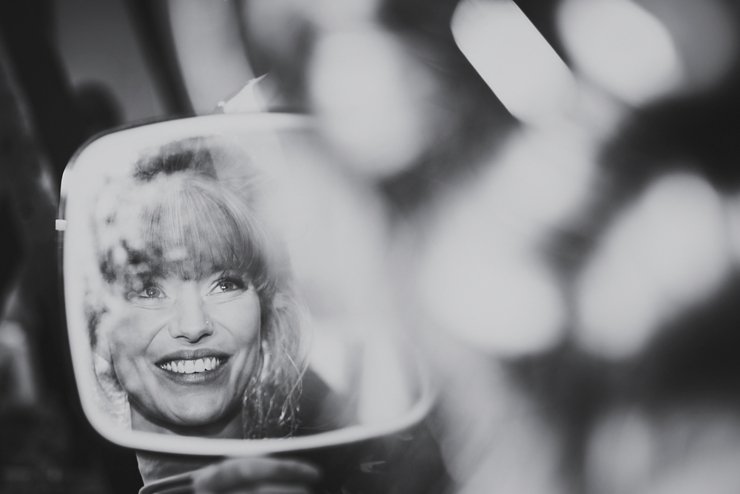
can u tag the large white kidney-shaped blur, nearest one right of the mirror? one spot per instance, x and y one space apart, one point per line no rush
483 272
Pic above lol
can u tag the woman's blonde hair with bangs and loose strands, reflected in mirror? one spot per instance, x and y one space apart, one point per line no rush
185 199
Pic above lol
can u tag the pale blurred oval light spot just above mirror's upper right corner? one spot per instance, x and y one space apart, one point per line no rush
373 100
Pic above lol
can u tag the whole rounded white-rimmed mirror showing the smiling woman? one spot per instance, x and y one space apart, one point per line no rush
225 291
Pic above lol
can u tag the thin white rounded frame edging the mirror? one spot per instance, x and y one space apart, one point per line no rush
79 343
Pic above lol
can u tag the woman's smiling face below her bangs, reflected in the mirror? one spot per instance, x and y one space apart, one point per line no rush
184 350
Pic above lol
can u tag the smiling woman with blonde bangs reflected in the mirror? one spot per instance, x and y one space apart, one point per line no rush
198 328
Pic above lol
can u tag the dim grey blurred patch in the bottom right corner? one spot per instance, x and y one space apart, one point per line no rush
687 452
